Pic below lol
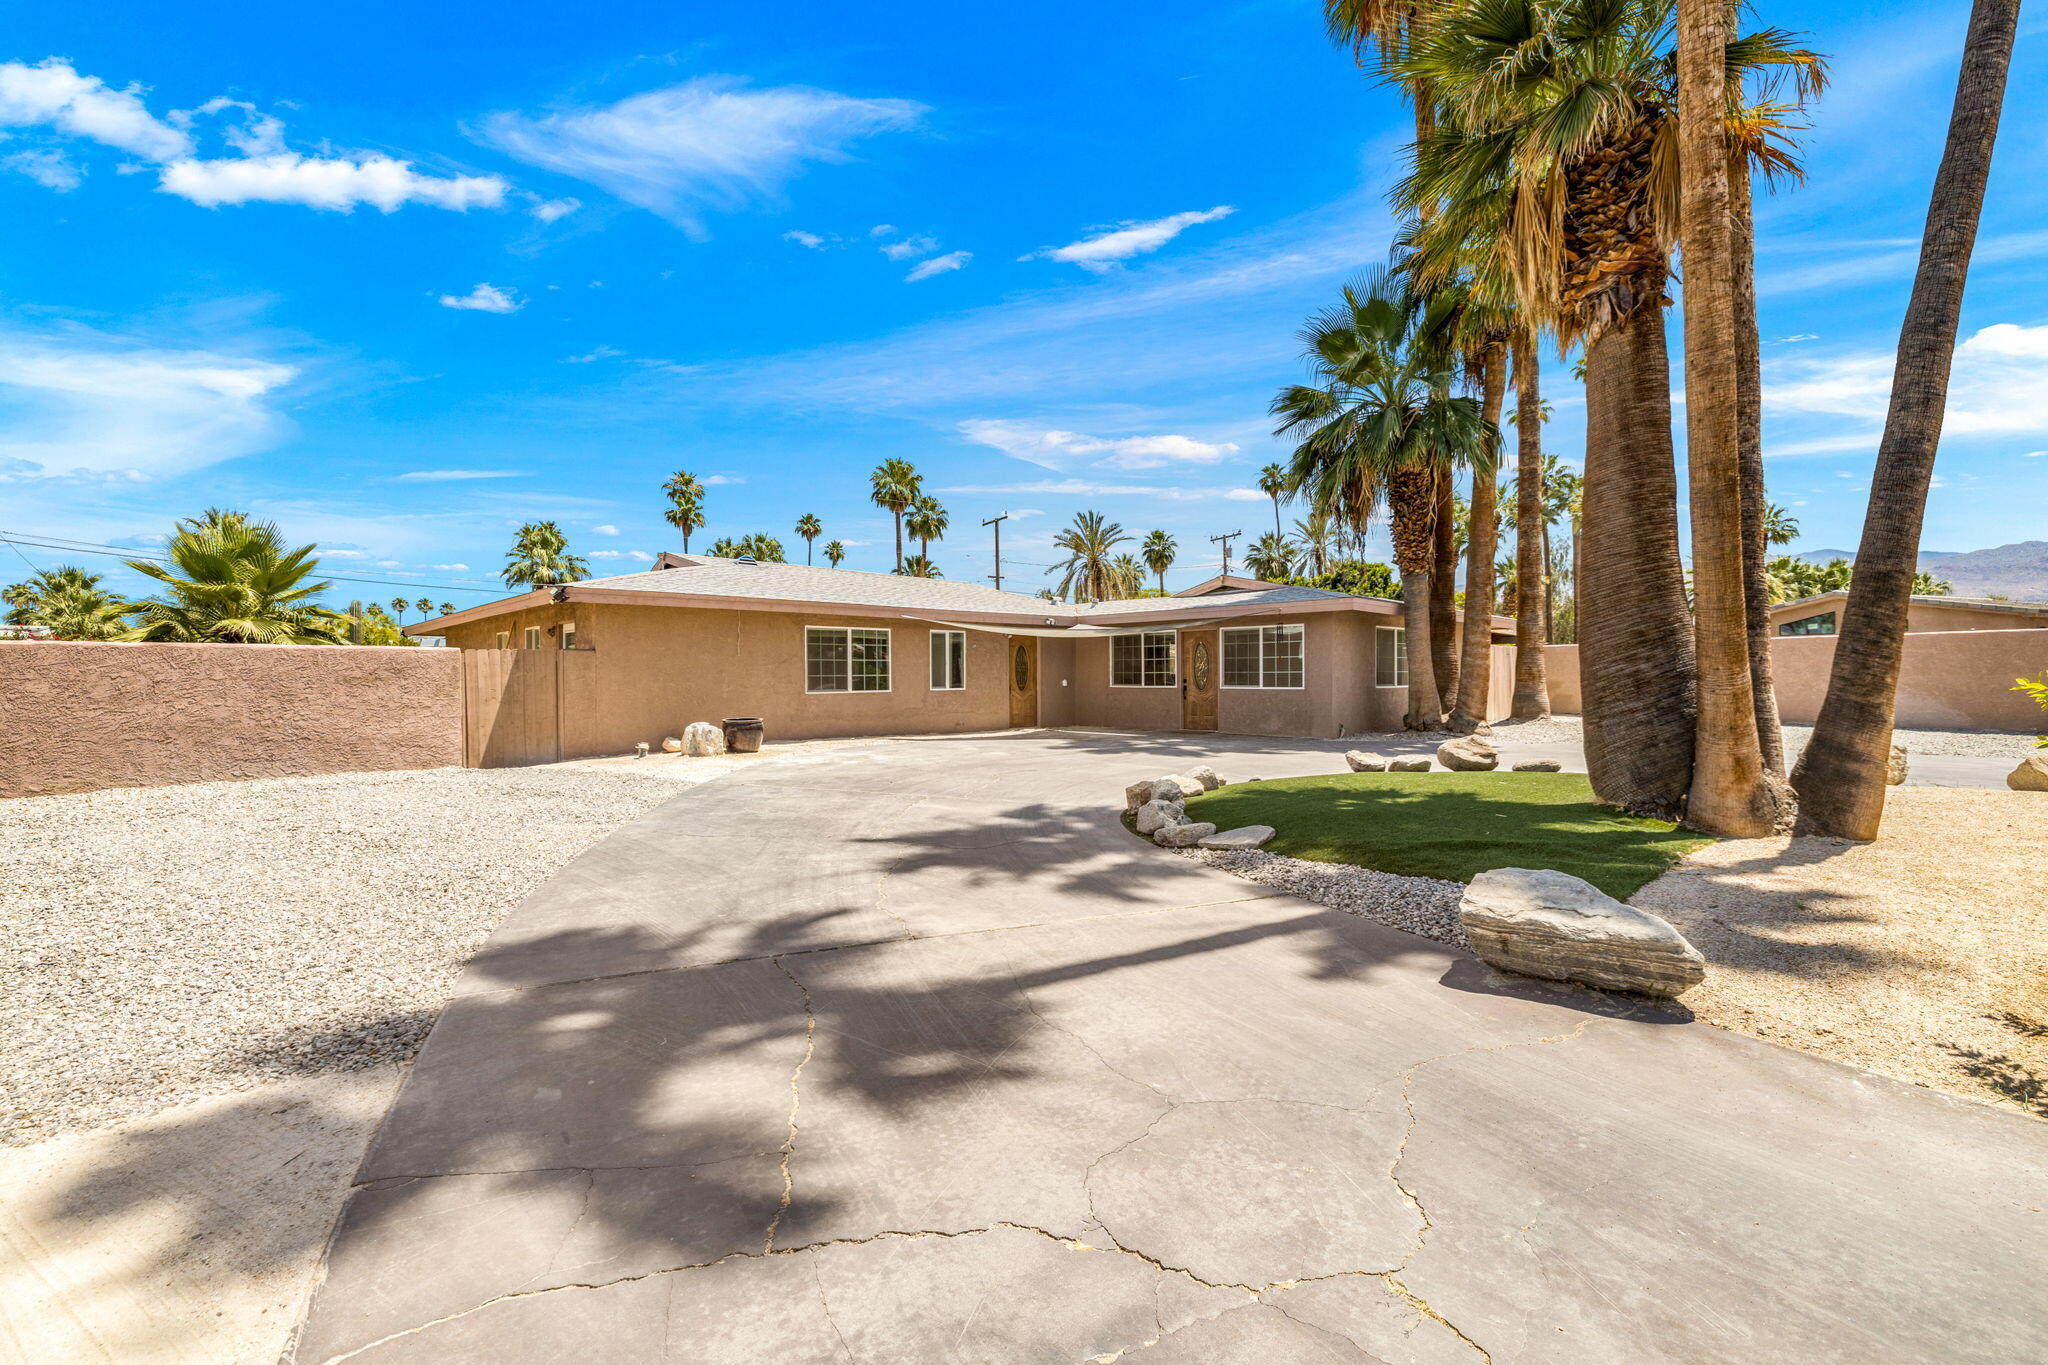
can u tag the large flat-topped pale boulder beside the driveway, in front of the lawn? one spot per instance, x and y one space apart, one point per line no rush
1555 926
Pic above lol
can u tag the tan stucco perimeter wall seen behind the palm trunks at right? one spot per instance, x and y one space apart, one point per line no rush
1949 680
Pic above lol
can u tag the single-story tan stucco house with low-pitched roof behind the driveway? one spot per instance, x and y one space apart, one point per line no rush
839 652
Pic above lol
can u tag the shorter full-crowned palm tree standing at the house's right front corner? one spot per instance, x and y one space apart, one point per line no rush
1381 416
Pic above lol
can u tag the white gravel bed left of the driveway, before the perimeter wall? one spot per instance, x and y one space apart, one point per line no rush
161 944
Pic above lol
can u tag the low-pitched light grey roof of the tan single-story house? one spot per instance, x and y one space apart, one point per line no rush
706 580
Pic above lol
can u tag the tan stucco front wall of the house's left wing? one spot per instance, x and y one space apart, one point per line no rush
644 672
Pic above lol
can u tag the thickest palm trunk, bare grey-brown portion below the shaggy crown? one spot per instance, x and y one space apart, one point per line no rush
1635 635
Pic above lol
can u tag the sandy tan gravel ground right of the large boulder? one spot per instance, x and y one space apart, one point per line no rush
1922 957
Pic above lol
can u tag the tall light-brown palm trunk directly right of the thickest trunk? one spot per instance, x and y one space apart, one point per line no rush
1732 791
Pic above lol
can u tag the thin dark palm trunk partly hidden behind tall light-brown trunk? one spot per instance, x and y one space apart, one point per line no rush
1750 437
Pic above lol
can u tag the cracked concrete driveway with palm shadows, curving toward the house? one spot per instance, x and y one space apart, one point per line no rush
910 1053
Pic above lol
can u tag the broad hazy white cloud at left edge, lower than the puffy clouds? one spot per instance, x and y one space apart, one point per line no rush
85 404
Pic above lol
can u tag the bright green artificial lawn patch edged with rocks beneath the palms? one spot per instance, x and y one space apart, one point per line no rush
1455 826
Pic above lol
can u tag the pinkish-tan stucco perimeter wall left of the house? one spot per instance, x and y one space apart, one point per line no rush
85 717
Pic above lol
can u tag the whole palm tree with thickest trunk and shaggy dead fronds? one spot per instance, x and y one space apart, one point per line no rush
1555 155
